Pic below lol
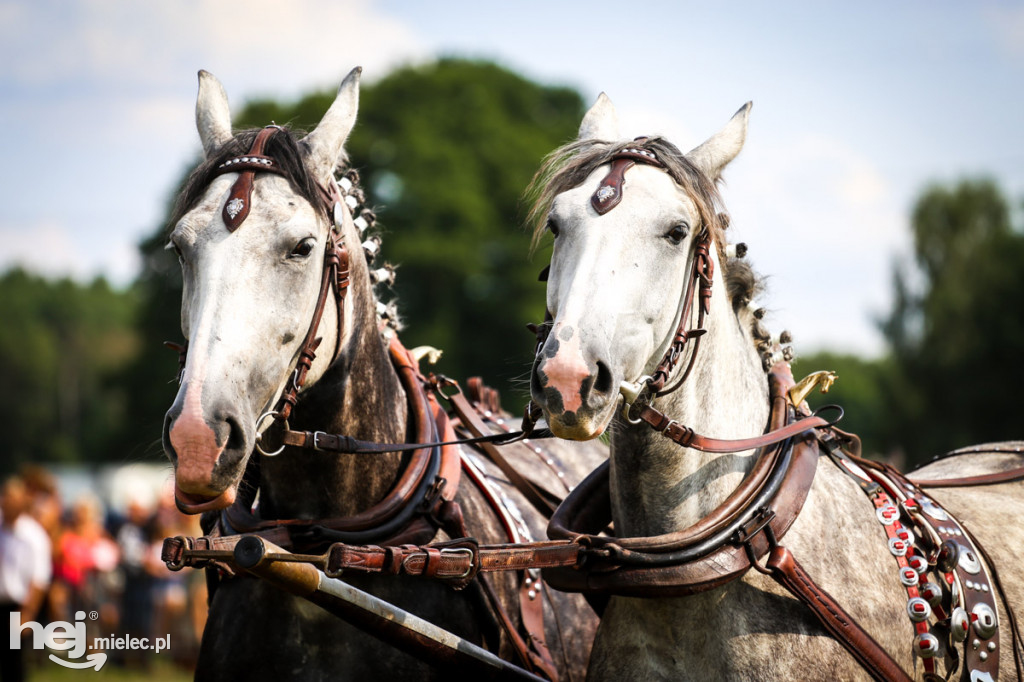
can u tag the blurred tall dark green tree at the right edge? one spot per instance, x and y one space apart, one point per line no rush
956 330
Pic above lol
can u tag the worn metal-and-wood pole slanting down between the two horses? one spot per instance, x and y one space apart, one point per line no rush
409 633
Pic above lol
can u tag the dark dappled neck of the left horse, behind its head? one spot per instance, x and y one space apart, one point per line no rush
360 396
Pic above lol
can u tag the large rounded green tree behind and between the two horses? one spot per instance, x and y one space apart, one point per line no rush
445 151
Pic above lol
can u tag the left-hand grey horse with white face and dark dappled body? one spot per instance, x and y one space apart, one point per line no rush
257 230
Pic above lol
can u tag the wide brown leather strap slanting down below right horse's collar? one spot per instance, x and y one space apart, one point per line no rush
788 573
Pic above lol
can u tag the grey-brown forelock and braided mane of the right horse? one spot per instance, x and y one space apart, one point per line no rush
571 164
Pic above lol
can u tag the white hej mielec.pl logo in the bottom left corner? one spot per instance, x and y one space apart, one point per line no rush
71 637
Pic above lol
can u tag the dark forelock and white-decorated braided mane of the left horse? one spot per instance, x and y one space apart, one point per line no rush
286 149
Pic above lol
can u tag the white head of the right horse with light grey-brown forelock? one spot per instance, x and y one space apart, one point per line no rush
628 219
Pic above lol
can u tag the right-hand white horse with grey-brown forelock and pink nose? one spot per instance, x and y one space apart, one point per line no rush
616 293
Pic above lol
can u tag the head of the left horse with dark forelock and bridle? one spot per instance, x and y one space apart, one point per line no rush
252 249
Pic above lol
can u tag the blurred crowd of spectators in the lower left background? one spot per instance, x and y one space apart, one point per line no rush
60 560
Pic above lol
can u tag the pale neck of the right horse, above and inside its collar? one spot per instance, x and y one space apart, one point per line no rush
659 487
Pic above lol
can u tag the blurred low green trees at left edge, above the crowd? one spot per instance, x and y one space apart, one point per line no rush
62 348
